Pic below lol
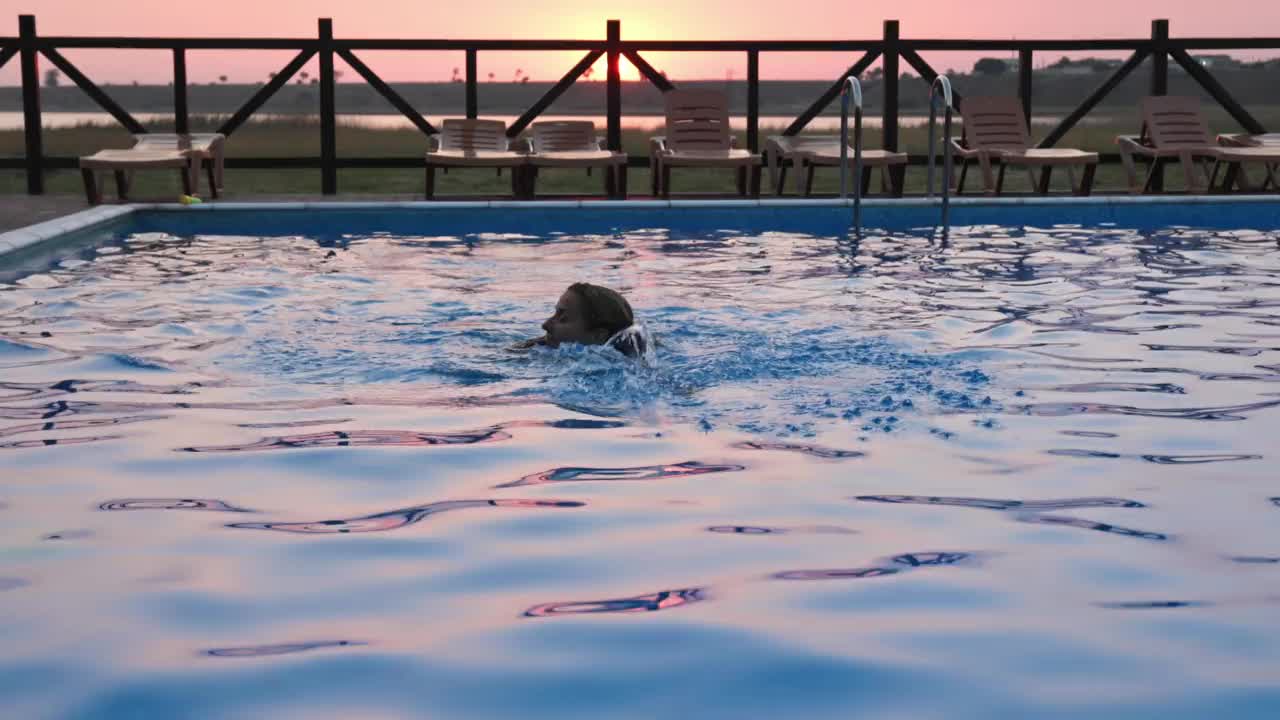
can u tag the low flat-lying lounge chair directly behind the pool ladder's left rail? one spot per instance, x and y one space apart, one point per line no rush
807 153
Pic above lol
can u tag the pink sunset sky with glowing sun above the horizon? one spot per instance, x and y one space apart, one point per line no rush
642 20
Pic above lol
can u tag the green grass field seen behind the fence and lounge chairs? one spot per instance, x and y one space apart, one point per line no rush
301 139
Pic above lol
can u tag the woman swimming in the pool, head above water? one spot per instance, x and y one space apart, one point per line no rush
591 315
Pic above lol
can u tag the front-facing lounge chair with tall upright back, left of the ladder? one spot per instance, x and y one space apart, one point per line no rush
698 136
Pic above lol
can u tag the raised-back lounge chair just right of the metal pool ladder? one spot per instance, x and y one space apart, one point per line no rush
995 130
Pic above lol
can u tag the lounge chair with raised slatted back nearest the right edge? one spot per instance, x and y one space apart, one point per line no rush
1174 129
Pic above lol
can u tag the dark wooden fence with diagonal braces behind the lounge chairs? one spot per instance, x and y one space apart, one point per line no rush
892 49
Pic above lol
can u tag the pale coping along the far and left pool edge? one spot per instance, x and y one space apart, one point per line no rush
34 235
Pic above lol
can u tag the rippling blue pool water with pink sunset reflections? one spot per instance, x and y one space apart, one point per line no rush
285 463
